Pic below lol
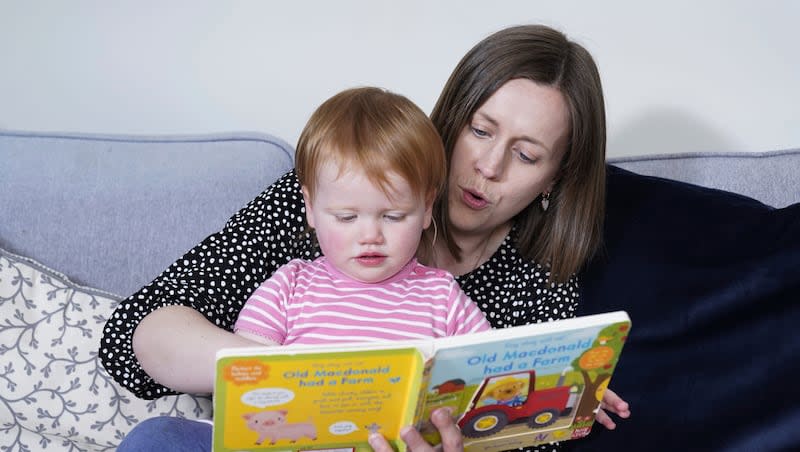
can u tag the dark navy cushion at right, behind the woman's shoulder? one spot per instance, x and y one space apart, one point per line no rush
711 282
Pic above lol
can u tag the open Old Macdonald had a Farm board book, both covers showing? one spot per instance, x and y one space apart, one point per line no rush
507 388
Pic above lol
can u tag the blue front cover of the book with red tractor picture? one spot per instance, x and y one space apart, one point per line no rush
514 389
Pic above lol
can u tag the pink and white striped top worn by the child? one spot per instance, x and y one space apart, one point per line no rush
311 302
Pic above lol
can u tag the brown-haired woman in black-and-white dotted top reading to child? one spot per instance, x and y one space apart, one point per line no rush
523 125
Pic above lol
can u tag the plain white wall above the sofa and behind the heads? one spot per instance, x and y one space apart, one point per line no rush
681 75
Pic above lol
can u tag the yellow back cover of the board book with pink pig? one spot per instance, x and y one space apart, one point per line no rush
314 401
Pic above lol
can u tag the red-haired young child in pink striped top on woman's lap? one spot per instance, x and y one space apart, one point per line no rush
370 164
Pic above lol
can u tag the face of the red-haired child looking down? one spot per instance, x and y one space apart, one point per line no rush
364 233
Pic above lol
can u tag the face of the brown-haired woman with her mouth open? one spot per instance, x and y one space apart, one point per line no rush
508 154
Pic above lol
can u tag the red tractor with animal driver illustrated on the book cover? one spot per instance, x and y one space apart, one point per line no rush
512 397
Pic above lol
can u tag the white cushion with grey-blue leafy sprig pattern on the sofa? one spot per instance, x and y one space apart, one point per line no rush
54 393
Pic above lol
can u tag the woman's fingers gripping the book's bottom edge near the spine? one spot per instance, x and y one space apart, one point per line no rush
442 419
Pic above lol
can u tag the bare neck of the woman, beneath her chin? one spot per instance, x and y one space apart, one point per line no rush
475 250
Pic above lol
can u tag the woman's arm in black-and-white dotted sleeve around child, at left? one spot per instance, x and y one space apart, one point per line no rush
162 339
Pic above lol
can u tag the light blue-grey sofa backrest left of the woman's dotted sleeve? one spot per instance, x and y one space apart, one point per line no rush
112 212
